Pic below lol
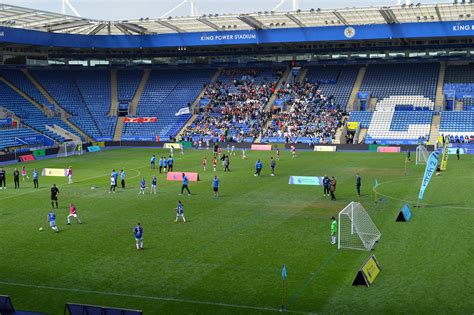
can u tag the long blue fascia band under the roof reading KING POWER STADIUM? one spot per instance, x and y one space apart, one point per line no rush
245 37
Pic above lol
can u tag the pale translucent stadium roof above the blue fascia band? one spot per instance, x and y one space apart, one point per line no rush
19 17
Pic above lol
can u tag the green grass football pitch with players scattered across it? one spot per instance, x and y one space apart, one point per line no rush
228 257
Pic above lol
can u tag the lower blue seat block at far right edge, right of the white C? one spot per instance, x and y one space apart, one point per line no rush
457 125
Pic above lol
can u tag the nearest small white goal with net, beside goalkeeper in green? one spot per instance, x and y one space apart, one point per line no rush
356 230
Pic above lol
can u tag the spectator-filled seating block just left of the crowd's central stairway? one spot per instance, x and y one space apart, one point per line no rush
233 107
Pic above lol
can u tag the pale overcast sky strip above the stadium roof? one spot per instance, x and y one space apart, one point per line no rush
128 9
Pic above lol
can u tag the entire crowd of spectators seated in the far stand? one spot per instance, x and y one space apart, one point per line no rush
236 110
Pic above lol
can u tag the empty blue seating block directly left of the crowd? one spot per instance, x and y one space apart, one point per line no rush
165 93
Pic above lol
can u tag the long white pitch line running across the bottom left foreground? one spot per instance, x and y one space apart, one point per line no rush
145 297
